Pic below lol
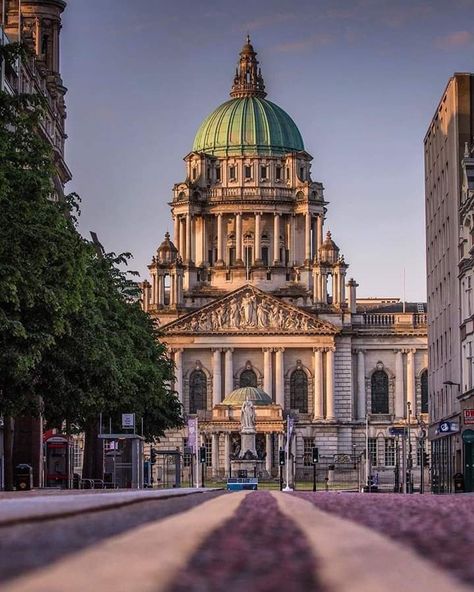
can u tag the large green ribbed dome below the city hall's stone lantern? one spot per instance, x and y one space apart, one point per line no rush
247 126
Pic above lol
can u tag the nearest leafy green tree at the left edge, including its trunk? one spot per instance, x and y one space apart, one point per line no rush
42 258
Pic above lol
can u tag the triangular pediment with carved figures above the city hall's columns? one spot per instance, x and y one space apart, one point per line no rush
249 310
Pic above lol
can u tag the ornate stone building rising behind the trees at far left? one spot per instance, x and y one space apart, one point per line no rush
37 24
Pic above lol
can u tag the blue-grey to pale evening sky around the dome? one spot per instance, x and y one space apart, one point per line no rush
360 78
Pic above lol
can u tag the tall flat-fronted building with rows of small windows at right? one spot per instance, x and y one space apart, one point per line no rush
448 295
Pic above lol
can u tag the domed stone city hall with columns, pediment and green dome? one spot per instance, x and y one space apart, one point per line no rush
253 300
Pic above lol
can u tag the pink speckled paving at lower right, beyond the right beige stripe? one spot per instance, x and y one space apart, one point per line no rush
440 528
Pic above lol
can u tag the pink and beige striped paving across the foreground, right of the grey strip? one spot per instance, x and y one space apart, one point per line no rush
264 541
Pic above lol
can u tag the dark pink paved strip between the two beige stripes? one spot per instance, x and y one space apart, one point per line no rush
257 550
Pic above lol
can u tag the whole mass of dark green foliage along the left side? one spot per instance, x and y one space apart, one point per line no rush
72 333
